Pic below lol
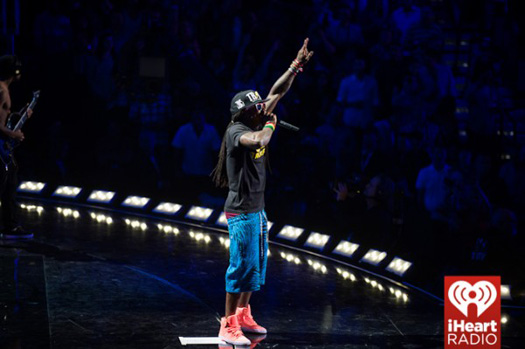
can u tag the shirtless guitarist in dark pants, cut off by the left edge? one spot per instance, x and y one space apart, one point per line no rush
10 70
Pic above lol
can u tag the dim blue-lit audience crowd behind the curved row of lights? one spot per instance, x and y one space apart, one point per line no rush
409 111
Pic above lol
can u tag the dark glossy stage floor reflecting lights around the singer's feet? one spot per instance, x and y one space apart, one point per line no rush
84 283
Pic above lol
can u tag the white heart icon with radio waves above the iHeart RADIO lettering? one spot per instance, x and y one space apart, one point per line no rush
462 294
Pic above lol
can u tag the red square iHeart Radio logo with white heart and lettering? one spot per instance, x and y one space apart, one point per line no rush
472 312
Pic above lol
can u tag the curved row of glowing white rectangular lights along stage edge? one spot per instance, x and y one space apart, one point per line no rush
315 240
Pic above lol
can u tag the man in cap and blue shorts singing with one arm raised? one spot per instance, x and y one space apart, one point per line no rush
242 168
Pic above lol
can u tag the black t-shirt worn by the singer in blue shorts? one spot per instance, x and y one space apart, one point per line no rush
246 170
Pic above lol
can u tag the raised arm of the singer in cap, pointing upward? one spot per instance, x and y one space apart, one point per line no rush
282 85
